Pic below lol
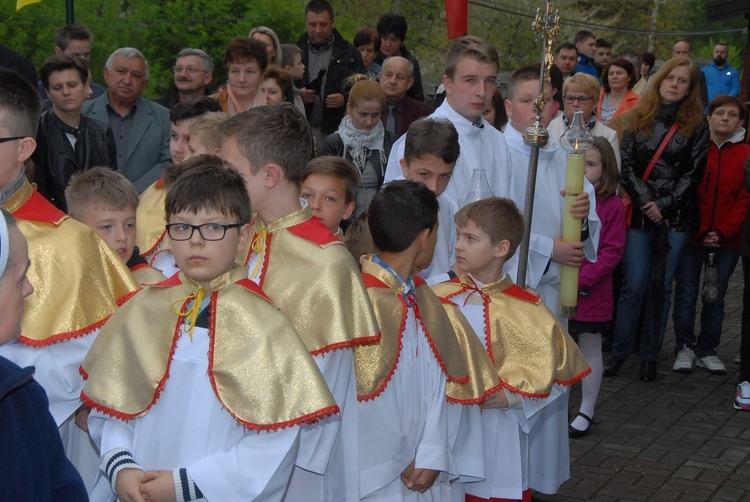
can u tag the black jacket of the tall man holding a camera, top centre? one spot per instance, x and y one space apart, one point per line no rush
345 61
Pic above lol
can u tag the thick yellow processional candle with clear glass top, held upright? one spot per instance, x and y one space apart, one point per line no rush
576 141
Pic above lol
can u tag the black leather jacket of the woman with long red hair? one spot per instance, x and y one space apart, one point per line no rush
675 178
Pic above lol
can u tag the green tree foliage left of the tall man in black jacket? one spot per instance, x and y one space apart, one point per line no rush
158 28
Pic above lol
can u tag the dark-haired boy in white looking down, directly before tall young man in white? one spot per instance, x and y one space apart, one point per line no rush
431 150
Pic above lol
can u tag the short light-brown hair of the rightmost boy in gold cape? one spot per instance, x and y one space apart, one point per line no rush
498 217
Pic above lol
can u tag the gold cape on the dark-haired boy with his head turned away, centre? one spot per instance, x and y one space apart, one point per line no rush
374 364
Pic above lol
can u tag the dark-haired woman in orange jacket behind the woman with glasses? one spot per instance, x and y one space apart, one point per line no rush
618 79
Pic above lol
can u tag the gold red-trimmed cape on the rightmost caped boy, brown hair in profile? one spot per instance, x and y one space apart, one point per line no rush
530 348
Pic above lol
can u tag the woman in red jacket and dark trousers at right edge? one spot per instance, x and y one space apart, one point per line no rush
723 202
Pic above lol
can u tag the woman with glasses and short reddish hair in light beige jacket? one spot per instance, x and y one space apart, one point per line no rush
581 92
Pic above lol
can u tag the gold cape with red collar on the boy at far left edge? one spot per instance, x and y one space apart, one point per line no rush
78 279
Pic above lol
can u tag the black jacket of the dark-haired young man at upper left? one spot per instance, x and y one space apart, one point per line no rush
55 160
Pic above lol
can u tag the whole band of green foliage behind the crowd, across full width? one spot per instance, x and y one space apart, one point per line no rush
160 28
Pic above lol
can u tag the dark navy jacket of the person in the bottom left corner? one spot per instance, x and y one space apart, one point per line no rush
33 465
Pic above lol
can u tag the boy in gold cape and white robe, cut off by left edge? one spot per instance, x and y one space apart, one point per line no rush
79 278
